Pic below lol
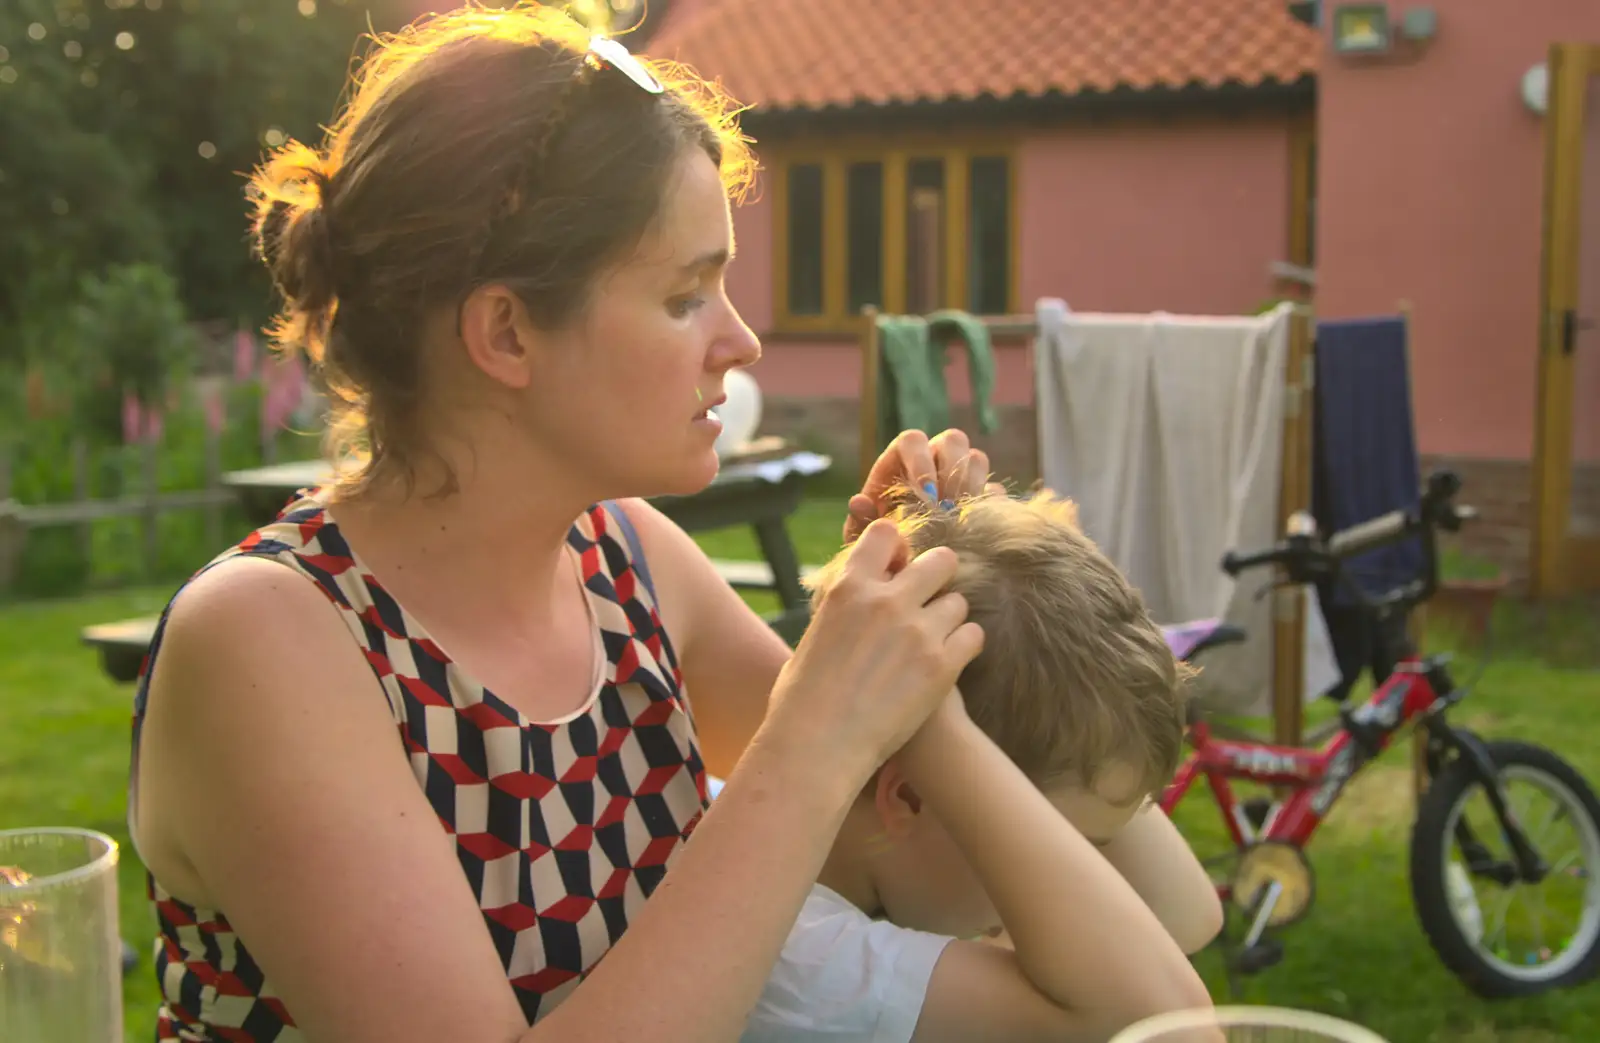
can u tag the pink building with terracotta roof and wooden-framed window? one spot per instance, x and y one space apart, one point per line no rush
1146 156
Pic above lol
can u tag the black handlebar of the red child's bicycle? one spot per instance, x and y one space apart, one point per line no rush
1308 559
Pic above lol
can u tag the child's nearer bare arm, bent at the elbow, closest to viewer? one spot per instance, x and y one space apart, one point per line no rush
1090 956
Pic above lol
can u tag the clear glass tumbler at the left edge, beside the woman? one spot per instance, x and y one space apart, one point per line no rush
60 941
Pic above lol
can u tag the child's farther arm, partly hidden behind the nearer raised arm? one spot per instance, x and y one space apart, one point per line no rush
1158 861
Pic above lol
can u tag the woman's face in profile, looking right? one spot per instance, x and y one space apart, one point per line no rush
623 399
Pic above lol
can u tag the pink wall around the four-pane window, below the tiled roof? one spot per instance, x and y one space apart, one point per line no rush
1159 217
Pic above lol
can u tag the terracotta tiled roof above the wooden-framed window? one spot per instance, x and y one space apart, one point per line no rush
823 54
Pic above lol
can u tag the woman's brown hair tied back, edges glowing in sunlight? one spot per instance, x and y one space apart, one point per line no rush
478 148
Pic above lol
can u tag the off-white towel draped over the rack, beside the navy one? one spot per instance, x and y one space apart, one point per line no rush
1167 431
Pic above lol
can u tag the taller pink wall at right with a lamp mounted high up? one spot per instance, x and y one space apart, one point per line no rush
1431 191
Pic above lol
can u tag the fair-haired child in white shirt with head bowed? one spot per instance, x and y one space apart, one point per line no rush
1022 809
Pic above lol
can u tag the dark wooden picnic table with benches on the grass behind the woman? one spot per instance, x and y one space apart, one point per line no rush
759 489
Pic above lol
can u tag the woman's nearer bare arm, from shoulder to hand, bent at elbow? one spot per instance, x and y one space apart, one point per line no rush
270 764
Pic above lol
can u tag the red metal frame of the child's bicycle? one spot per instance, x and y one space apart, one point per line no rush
1318 777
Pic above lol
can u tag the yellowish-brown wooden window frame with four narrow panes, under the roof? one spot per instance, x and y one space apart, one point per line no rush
836 158
